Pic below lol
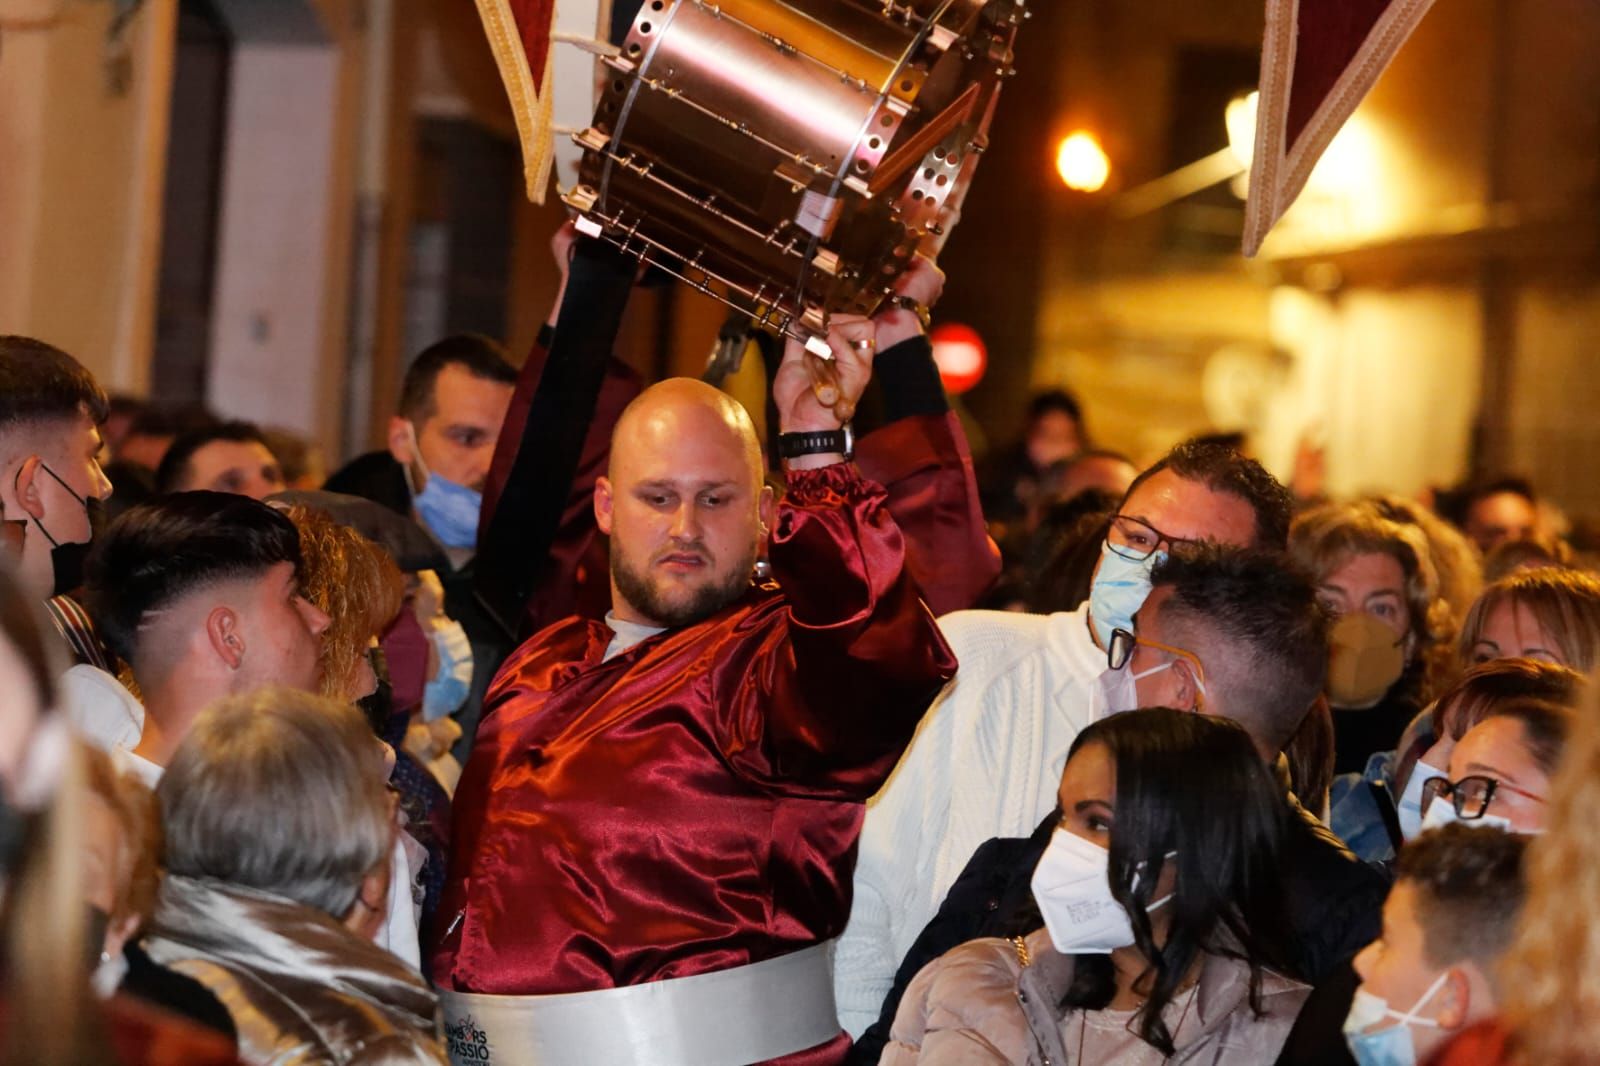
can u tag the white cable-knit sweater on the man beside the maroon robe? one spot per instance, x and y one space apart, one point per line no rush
985 763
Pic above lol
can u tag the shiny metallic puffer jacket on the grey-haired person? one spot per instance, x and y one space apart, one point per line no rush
302 988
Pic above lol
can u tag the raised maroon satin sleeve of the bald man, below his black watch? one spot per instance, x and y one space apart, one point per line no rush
831 699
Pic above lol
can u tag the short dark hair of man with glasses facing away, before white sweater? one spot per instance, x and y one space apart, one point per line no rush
1255 623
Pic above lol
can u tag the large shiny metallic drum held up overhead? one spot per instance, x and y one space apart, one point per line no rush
791 156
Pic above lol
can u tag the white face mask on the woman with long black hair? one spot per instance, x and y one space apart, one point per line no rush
1073 889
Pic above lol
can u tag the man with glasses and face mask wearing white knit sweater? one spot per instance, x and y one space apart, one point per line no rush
990 753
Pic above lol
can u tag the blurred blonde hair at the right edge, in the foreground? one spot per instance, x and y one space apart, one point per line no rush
1553 971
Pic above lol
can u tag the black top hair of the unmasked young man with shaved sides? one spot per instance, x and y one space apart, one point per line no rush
167 548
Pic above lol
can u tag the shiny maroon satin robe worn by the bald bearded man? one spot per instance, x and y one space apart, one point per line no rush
694 804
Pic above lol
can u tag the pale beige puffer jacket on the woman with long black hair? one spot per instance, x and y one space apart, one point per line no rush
980 1006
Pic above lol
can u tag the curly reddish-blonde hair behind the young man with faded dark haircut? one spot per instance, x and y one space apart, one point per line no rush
351 580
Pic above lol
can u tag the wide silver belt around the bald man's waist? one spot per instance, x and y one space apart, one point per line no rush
729 1019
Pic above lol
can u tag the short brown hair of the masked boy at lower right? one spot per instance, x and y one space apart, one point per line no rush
1470 889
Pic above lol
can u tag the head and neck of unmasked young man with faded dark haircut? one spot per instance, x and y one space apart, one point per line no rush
199 593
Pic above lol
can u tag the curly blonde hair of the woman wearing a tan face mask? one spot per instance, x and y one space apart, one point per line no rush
1326 539
